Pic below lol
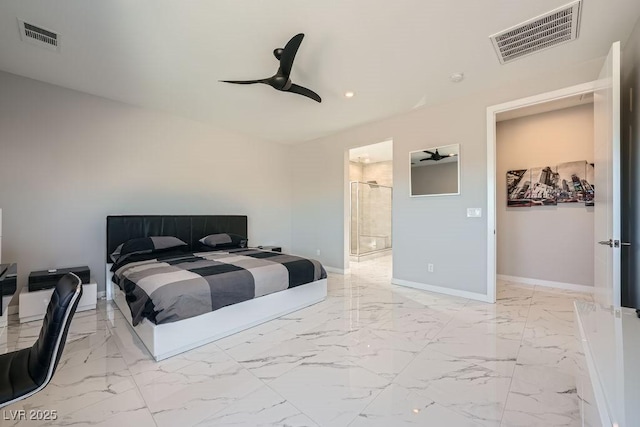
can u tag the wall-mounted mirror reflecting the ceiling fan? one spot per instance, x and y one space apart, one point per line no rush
435 171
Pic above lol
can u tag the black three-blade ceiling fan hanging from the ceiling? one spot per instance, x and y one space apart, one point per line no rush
280 80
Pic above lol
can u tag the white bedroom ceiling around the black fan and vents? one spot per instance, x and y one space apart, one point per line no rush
169 55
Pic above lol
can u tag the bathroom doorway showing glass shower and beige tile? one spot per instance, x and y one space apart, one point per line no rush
370 201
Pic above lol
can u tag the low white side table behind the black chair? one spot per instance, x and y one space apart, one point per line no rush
33 305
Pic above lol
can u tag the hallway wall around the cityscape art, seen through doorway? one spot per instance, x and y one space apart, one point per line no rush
553 243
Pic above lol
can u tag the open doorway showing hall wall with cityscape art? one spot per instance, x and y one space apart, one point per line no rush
545 206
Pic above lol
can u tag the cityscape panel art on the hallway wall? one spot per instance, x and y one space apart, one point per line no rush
569 182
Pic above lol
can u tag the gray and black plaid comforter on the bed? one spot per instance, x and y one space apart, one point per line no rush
174 286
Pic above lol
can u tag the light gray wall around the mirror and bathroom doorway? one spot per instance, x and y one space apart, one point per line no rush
425 229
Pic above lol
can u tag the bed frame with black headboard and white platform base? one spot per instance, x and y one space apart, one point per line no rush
168 339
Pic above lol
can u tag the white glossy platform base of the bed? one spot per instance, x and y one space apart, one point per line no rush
170 339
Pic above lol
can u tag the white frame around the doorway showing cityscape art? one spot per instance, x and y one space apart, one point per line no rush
492 112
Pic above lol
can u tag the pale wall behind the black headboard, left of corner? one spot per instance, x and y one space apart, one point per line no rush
68 159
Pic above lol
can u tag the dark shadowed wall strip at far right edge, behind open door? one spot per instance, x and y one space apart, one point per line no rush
630 140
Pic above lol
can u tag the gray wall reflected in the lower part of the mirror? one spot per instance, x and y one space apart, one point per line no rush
439 178
